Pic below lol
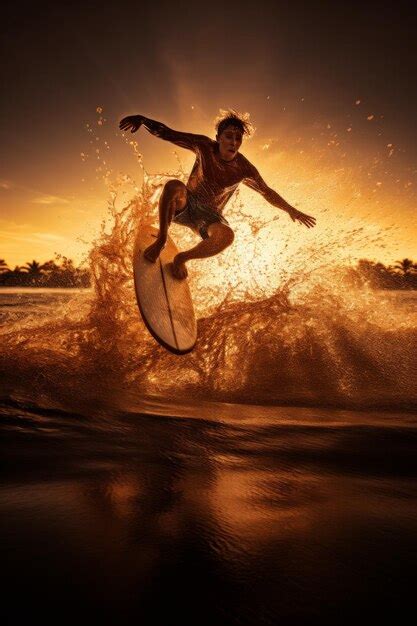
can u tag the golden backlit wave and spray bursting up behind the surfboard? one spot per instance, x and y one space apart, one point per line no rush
277 323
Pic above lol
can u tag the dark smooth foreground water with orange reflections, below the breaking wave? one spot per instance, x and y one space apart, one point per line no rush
239 515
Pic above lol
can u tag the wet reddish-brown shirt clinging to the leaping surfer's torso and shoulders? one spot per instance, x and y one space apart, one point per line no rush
212 180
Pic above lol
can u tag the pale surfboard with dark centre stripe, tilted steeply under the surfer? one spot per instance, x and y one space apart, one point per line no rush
164 301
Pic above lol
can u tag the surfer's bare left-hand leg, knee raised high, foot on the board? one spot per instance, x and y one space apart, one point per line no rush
173 199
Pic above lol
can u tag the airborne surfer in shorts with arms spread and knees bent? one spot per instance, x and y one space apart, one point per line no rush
218 169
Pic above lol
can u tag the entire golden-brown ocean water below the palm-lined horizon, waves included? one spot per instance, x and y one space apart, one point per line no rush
269 477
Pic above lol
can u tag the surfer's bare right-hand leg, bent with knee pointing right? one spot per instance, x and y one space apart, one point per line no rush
220 237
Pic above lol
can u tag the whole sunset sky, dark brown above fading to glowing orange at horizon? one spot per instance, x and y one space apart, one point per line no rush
330 89
